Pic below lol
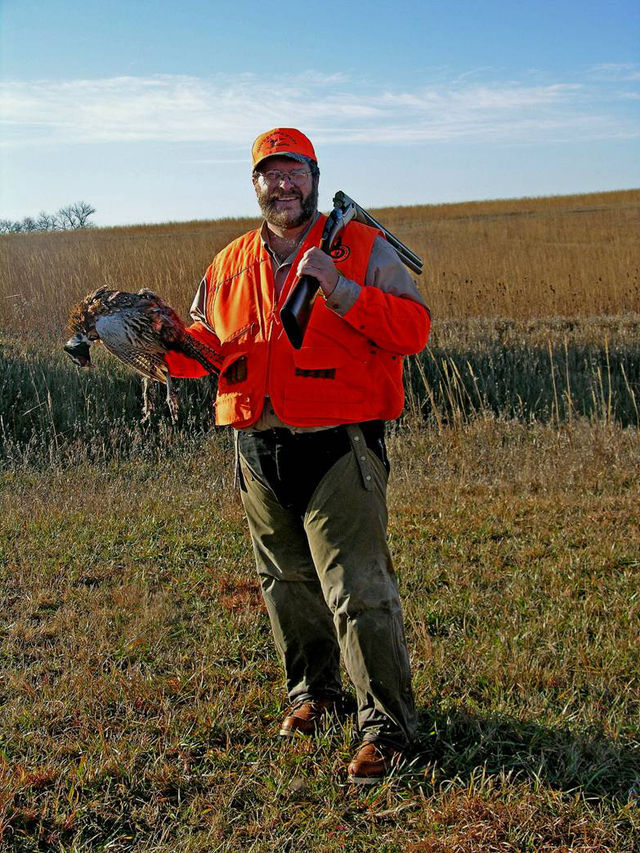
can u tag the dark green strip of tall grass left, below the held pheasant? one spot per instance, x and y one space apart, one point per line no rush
50 411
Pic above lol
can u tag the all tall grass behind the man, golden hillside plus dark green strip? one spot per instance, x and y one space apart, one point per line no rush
535 302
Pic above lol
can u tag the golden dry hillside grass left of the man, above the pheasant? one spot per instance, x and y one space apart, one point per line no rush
45 274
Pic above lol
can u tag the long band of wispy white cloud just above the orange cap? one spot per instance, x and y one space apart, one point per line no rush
231 110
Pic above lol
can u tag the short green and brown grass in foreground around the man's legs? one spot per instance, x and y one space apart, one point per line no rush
141 694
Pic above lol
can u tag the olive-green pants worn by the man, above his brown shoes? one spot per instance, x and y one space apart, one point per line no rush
329 585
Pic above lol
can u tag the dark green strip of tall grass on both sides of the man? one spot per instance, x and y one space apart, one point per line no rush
547 371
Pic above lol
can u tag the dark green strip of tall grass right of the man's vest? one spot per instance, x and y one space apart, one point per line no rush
528 371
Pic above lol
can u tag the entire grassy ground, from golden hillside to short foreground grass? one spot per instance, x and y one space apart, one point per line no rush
139 688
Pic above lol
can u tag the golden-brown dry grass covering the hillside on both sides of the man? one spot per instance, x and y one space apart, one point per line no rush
569 256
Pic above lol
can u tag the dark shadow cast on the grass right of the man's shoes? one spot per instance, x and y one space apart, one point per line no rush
459 742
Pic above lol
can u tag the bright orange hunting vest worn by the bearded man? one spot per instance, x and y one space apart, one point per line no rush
338 376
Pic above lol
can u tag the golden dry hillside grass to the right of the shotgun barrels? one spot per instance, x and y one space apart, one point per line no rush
568 256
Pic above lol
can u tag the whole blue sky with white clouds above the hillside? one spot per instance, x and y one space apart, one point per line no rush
148 109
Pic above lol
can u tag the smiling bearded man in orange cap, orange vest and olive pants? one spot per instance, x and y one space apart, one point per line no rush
310 441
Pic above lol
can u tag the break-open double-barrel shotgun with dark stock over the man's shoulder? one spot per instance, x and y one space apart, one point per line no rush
296 311
